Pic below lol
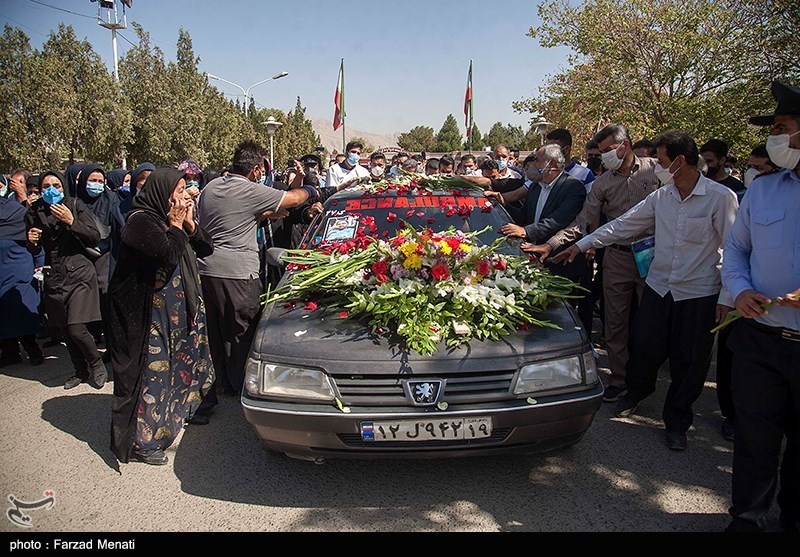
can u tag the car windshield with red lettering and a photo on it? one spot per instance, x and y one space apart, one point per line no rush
382 216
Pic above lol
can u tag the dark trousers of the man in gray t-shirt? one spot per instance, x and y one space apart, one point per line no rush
232 310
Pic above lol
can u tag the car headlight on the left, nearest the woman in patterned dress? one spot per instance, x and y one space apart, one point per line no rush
282 381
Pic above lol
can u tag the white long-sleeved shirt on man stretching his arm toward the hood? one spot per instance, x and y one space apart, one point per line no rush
689 237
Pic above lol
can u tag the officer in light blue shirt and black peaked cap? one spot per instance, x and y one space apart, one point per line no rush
761 268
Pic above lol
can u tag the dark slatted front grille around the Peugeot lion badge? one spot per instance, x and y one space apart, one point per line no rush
460 388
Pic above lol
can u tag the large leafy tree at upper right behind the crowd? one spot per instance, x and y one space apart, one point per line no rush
699 65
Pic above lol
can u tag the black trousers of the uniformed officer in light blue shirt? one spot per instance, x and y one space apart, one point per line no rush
766 393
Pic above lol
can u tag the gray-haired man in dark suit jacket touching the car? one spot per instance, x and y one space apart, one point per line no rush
552 202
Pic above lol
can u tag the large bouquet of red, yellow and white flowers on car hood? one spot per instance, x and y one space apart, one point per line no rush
427 287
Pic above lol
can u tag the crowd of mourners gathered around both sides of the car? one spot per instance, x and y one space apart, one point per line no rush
165 267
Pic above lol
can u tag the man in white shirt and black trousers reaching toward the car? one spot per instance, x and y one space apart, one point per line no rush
682 300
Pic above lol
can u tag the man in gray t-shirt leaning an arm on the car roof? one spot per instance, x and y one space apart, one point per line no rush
230 209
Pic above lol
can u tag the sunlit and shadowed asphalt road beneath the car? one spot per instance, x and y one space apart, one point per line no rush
619 478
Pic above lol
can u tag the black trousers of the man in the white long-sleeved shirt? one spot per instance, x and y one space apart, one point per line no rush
679 331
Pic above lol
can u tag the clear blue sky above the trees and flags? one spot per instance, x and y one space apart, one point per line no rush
405 62
